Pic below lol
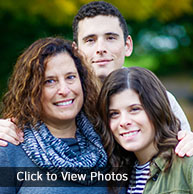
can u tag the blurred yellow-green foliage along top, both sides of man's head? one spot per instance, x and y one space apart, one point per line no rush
62 11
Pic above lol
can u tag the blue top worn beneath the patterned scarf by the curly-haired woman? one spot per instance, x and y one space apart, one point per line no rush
15 156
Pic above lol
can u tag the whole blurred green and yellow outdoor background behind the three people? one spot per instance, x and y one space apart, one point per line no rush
162 31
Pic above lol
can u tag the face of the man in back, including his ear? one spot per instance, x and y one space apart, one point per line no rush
101 42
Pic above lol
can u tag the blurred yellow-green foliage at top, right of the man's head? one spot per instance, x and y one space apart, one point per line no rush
163 10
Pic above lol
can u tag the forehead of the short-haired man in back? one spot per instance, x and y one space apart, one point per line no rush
99 25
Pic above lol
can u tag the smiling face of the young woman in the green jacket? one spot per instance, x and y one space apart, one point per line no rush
130 124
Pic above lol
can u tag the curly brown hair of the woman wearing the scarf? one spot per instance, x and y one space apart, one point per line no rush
22 100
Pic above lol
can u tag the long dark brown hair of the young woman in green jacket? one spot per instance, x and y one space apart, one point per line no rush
153 97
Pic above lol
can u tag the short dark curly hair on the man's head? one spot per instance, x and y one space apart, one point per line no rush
96 8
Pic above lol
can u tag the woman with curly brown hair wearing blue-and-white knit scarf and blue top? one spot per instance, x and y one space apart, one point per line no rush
51 96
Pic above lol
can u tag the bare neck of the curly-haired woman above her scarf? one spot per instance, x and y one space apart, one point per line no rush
62 130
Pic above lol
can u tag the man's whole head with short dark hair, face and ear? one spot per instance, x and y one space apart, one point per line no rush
100 33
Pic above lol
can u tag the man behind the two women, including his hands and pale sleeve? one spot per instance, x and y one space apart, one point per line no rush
100 34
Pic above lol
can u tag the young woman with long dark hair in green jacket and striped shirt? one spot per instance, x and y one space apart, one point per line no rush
141 131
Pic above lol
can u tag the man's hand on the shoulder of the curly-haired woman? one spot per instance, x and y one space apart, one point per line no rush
9 132
